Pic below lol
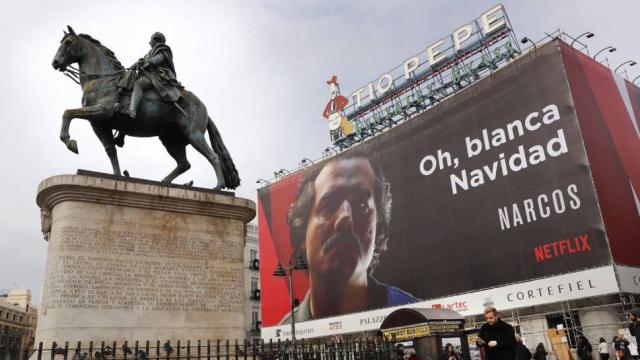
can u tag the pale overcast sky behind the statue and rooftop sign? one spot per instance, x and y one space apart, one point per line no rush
259 66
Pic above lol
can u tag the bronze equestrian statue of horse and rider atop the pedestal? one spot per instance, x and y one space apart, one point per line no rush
144 100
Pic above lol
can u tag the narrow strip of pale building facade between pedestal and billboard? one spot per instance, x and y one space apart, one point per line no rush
252 282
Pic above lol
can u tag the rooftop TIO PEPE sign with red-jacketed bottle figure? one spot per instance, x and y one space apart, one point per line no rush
445 67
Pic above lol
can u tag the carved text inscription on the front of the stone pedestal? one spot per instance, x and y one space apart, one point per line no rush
188 271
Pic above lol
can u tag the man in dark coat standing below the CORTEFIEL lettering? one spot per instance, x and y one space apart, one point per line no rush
496 337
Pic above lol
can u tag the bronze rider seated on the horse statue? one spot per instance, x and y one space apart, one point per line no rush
154 71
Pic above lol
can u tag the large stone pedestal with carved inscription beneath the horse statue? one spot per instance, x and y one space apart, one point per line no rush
138 260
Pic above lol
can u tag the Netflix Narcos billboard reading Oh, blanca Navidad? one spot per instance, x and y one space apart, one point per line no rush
491 187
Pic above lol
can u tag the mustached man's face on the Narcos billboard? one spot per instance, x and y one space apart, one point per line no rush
342 224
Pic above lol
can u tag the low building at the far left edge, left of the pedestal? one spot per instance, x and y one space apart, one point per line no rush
18 320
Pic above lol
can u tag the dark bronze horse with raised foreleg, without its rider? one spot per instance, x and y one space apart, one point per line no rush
99 72
